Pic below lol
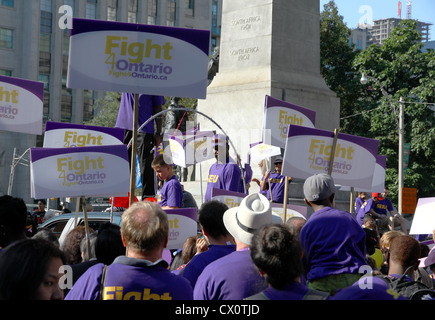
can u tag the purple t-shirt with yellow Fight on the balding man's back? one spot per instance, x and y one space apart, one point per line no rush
131 279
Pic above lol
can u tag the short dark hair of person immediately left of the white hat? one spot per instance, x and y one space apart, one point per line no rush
211 218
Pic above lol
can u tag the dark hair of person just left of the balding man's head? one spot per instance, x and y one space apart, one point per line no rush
109 243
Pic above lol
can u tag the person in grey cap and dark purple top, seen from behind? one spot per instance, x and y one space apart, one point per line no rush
332 240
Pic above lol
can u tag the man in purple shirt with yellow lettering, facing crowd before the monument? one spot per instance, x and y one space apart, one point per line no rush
225 173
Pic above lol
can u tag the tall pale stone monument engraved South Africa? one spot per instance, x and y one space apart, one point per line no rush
268 47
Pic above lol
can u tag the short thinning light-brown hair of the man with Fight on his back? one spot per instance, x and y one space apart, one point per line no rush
144 226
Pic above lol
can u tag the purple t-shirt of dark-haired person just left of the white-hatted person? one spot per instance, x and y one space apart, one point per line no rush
198 263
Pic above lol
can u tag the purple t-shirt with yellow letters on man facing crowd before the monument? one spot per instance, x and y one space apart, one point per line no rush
226 176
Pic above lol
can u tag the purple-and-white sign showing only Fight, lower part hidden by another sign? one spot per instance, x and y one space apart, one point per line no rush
67 135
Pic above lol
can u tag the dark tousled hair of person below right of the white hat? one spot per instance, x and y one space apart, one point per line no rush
277 252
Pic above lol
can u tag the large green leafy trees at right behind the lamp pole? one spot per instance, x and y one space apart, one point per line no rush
401 69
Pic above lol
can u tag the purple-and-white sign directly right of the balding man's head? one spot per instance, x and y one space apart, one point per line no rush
182 224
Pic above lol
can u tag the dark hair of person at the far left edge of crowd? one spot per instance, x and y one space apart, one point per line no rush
13 214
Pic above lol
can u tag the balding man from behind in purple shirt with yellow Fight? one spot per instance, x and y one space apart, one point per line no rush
142 274
